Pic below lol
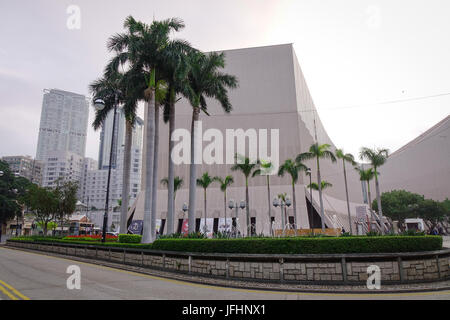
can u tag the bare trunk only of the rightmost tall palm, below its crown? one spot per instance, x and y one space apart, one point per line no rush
193 172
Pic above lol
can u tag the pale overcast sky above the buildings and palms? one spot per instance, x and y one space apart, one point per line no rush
355 55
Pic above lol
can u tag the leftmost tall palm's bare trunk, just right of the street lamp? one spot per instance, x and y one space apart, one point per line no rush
126 177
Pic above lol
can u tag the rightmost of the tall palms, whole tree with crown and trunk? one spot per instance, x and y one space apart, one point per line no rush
205 81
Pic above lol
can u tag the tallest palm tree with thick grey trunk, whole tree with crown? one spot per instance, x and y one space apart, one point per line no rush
145 46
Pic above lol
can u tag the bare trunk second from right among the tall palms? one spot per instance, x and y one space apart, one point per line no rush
171 176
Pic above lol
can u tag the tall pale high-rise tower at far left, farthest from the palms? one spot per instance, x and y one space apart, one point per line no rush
63 126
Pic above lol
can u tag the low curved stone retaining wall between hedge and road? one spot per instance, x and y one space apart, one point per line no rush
320 269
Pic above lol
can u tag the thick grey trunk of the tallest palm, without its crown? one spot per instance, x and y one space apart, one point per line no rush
149 140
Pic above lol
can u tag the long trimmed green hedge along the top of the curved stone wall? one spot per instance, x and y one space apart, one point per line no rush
299 245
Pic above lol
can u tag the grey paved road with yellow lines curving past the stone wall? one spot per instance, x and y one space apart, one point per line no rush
25 275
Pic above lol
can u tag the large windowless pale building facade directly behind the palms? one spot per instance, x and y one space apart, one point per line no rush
272 94
